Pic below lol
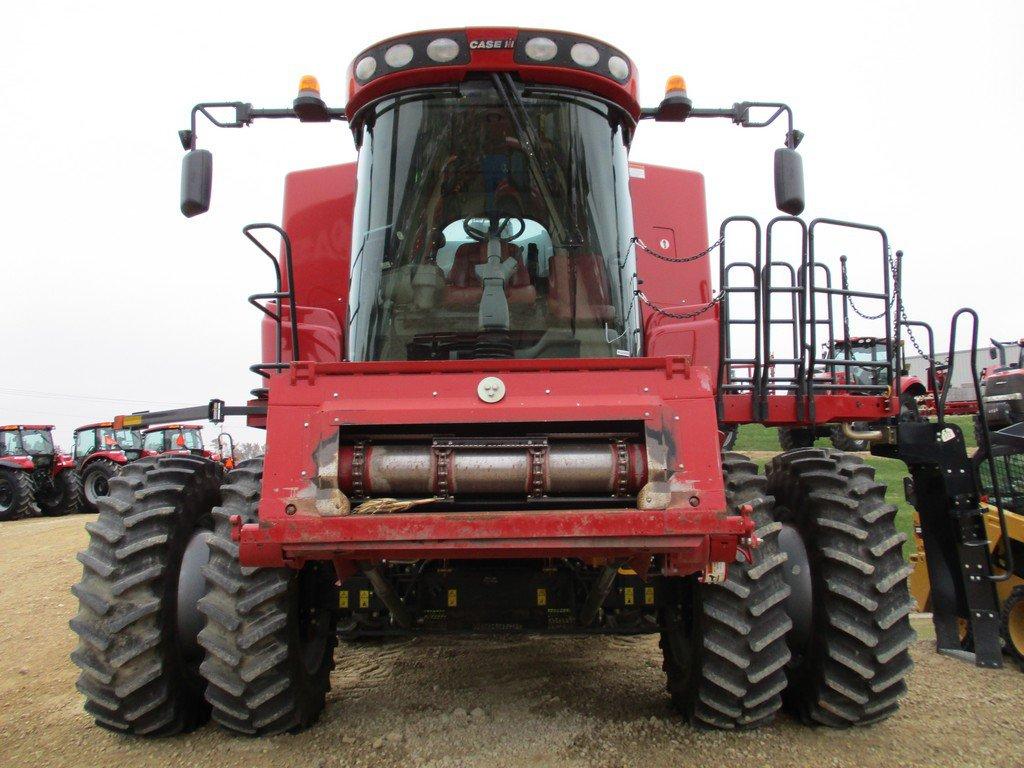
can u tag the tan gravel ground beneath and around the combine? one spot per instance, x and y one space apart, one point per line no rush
468 702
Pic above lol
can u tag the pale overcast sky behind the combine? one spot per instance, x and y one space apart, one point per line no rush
114 303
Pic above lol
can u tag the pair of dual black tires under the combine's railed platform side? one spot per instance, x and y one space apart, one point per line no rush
819 622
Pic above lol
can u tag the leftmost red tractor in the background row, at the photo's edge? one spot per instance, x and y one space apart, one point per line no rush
35 479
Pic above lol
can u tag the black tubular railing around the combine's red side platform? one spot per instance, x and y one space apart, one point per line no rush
798 307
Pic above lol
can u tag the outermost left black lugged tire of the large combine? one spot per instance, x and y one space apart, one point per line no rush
136 676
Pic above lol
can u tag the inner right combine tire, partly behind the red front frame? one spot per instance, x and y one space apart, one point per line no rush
724 645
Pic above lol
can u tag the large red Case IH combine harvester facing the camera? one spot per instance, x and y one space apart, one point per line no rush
495 376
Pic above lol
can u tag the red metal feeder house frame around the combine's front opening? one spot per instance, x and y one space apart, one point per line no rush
313 404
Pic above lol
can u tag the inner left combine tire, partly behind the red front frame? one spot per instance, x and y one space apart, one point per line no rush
270 635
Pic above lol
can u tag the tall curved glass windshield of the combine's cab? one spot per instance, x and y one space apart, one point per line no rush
493 221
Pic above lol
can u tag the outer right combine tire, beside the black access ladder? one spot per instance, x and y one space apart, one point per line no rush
850 669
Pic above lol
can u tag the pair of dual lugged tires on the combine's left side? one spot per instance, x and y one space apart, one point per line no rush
159 651
